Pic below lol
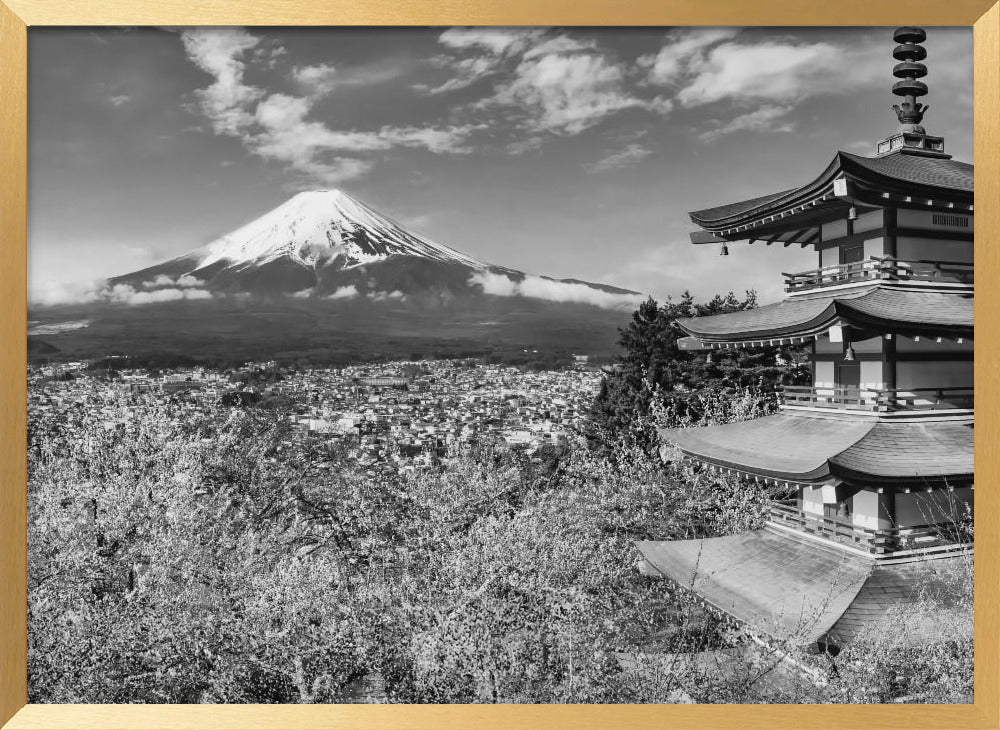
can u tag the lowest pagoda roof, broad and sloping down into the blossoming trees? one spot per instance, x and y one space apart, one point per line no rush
796 590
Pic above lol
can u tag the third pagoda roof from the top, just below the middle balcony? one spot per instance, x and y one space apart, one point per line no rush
816 448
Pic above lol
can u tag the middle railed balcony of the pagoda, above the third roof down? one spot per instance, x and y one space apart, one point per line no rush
885 400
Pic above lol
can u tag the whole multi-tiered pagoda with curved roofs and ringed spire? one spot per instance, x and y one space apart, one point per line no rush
875 457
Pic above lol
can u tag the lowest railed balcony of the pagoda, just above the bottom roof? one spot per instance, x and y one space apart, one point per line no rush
878 543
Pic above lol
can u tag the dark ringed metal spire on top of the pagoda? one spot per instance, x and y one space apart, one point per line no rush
910 137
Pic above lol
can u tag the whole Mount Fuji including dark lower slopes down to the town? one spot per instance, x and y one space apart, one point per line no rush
325 278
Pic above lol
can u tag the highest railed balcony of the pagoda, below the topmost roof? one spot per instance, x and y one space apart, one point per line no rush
881 269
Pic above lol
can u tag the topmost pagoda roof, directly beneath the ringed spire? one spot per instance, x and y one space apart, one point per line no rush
898 178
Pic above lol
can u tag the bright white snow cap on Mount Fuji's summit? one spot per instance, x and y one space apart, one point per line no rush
318 226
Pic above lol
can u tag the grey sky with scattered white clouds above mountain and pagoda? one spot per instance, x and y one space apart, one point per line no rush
567 152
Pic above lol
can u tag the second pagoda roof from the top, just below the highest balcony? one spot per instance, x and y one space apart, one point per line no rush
883 308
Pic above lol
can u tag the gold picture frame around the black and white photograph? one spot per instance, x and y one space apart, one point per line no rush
17 15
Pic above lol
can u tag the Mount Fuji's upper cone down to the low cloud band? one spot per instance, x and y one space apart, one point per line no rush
324 243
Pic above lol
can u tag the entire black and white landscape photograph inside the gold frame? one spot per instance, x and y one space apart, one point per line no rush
519 365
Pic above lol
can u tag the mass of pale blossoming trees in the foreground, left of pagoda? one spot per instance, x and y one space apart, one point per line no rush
166 569
